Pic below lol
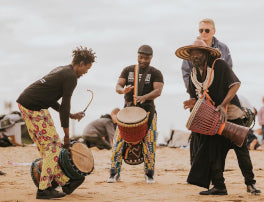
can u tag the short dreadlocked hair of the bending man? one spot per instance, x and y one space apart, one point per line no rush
82 54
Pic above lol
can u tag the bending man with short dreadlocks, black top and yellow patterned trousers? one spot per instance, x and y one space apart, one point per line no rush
34 103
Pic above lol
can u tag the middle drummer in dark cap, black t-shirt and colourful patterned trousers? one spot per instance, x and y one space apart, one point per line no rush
152 88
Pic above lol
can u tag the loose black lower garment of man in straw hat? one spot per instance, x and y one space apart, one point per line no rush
208 155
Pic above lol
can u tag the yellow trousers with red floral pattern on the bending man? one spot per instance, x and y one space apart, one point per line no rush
42 131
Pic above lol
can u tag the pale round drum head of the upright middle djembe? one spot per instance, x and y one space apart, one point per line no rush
131 115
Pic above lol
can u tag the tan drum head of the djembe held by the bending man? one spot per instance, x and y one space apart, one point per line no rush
82 157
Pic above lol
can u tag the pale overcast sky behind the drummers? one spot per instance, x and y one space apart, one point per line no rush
37 36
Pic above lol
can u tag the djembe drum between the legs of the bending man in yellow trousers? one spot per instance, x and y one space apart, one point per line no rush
76 162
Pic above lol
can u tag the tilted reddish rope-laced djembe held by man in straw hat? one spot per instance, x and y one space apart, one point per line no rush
205 120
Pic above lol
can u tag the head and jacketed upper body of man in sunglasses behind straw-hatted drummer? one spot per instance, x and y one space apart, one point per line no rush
206 33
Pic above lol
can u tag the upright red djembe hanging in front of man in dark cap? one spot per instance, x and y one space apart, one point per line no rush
132 123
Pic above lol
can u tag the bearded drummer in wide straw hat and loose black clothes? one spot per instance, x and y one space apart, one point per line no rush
215 79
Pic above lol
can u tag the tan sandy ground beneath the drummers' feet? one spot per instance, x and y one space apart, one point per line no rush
172 167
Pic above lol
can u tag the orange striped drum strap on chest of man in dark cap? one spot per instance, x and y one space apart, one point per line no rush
138 86
